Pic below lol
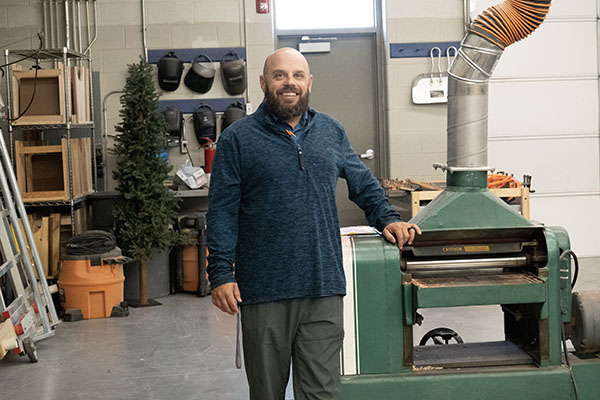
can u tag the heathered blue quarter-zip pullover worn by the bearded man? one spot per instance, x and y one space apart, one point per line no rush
272 209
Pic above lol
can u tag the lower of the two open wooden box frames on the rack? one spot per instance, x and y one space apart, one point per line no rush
43 171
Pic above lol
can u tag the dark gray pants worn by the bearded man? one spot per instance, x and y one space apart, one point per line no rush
309 332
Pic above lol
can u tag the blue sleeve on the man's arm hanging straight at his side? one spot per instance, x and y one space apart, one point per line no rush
223 211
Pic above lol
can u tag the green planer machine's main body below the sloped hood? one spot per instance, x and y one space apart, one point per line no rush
524 269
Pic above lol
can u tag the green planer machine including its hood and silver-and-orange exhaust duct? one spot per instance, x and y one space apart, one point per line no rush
474 250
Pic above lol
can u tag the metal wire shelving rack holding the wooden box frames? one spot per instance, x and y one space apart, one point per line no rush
66 56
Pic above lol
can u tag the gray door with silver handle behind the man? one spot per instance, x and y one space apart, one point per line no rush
345 87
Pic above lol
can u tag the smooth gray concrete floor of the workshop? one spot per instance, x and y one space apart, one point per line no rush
182 350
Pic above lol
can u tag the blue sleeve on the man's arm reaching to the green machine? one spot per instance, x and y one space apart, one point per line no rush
365 190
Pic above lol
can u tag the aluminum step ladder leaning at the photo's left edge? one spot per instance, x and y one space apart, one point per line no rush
27 313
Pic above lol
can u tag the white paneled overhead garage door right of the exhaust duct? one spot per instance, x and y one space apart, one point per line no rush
543 120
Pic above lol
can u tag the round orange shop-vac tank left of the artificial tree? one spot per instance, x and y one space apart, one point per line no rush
93 289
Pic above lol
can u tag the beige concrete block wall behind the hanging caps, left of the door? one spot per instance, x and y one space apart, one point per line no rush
176 24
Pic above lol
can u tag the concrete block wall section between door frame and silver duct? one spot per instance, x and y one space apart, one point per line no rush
417 133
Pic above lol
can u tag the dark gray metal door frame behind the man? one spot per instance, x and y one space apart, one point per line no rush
381 137
